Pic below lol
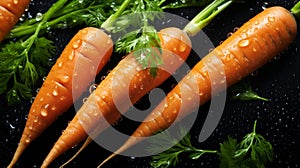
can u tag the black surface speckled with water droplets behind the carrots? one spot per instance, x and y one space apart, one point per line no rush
278 119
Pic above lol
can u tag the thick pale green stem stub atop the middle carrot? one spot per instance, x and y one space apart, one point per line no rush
206 16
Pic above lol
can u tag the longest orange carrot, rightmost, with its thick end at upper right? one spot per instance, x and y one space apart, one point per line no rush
249 48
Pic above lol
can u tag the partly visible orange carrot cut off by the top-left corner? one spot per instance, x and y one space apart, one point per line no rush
10 12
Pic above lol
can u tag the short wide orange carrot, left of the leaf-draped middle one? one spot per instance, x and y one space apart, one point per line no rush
89 49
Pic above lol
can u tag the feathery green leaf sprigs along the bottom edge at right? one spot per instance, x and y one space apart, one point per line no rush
253 151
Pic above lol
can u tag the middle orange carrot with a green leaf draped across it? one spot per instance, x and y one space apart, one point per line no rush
100 106
